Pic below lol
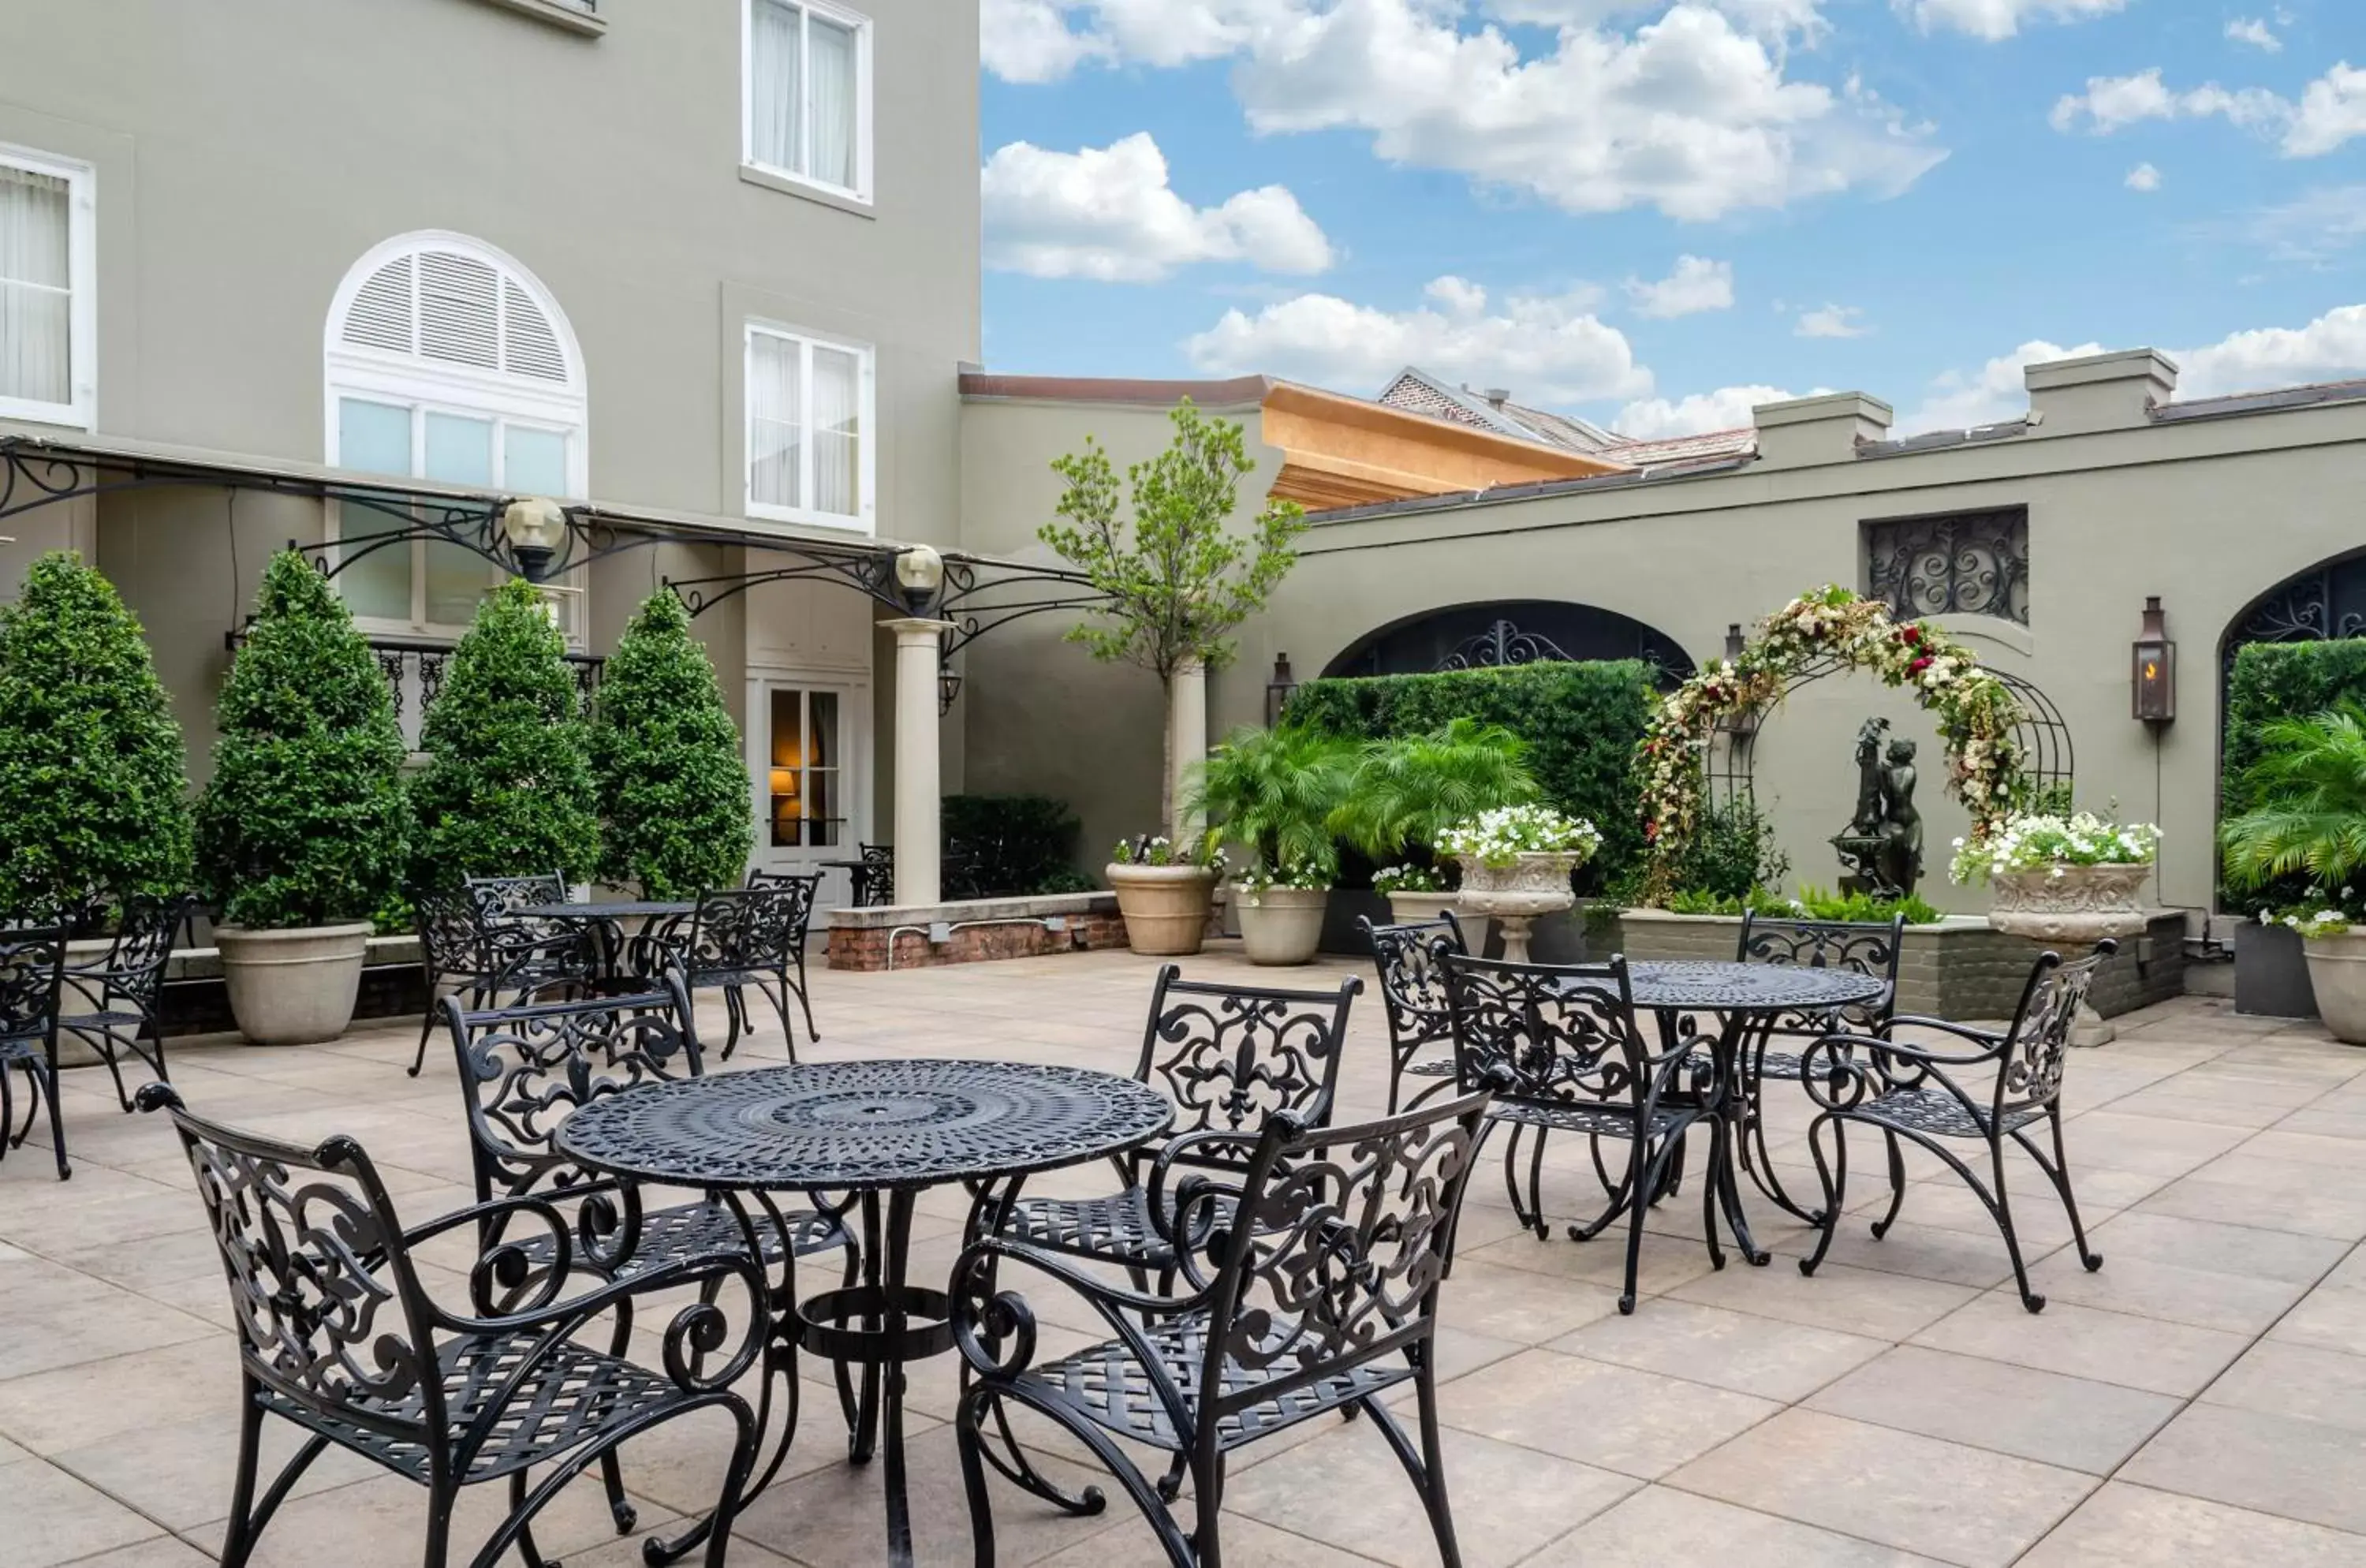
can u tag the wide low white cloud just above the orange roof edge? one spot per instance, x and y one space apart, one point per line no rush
1549 349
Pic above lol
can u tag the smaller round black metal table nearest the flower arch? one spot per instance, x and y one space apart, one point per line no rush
1745 999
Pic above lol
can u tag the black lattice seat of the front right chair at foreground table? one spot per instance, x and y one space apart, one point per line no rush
1108 1387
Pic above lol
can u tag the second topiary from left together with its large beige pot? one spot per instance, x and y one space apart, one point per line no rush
302 831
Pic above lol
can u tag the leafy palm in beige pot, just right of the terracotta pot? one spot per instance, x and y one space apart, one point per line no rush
1274 793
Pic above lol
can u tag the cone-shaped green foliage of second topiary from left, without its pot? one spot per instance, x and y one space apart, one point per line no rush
304 819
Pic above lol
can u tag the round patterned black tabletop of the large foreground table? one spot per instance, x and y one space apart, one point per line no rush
865 1125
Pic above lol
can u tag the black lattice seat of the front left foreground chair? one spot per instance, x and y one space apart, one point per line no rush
571 1397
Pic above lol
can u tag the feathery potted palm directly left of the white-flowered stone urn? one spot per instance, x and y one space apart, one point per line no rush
1407 793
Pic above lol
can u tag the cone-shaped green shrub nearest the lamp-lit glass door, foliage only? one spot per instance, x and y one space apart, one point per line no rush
668 763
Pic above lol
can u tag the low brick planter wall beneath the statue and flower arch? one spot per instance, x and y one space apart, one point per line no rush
1960 968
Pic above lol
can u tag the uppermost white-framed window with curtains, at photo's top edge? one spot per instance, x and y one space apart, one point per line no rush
806 91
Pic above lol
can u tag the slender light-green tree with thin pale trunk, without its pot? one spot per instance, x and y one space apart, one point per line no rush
1177 578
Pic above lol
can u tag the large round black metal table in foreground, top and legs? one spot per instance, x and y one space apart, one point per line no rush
879 1132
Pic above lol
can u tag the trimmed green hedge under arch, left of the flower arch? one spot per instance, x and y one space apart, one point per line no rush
1582 725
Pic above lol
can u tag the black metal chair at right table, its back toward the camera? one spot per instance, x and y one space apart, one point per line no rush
1563 1054
